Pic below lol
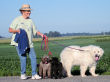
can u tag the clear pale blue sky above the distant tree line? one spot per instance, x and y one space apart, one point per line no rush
65 16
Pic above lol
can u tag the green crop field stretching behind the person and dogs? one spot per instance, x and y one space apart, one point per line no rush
9 60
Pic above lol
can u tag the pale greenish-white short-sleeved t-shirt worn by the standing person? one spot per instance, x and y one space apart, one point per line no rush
27 25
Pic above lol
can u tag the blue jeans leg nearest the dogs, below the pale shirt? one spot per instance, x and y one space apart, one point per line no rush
32 56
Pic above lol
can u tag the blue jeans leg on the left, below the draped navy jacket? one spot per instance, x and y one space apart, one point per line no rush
22 61
